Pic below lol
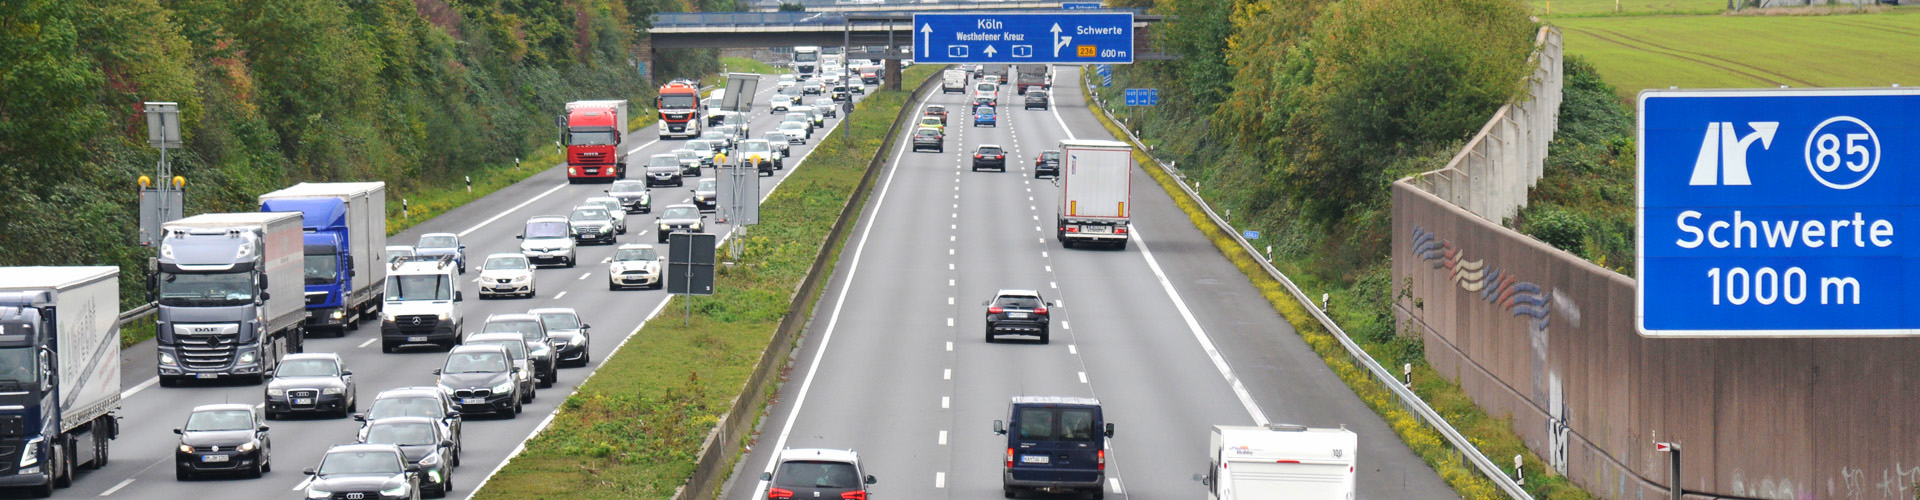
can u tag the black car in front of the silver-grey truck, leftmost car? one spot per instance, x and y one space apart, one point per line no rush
224 439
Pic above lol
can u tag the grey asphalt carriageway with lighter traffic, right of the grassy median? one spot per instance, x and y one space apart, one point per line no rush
894 364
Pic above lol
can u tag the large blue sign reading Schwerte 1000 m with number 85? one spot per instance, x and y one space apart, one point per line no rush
1779 212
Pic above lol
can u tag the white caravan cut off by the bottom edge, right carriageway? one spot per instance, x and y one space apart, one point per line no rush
1280 461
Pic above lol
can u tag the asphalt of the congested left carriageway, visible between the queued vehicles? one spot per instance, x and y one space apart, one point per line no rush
143 457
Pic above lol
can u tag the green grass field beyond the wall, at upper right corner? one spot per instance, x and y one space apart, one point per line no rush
1639 53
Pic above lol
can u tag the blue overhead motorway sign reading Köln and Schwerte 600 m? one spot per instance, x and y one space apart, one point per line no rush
1024 37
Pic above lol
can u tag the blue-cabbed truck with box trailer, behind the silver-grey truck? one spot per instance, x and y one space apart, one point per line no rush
345 249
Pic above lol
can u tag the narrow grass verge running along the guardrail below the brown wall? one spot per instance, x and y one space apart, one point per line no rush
1495 437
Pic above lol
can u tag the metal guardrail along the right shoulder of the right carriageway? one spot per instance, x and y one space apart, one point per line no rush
1408 399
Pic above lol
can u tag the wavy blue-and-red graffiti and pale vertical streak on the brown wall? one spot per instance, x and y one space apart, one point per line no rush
1522 299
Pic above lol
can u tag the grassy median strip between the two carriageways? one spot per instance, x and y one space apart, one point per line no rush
635 430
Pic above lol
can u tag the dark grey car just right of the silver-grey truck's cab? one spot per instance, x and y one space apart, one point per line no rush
312 384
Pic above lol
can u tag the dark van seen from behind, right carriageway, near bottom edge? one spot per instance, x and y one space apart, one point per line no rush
1055 445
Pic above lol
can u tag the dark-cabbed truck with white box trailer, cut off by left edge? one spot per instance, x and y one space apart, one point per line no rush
59 345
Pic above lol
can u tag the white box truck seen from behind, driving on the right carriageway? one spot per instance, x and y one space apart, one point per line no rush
1095 191
